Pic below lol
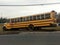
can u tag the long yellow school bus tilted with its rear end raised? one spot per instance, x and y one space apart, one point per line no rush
31 22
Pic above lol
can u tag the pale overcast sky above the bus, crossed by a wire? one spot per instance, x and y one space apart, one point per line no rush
18 11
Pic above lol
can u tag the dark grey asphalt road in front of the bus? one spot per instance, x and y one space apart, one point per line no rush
31 38
